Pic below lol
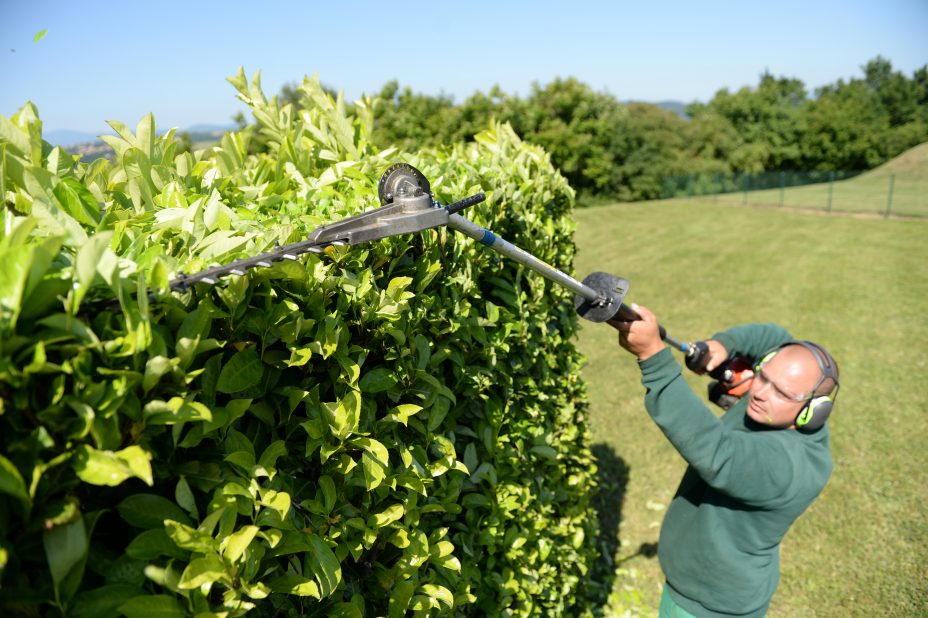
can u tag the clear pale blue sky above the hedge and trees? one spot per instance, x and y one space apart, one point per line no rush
120 60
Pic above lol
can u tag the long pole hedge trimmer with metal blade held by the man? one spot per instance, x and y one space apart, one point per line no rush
408 206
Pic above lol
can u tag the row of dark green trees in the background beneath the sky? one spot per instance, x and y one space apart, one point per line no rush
610 149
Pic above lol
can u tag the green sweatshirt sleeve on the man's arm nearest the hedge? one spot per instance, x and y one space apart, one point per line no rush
754 467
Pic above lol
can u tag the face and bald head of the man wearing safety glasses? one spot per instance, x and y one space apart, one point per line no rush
782 386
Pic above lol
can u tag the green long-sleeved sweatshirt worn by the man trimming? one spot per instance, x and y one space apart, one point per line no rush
745 485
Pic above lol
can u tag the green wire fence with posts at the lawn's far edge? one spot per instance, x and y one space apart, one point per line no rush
880 192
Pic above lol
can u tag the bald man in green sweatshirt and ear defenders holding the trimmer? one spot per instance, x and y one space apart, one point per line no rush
751 472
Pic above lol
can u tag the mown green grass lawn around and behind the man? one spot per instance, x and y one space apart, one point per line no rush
860 287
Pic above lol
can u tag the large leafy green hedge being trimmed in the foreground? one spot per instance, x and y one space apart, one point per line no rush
391 428
